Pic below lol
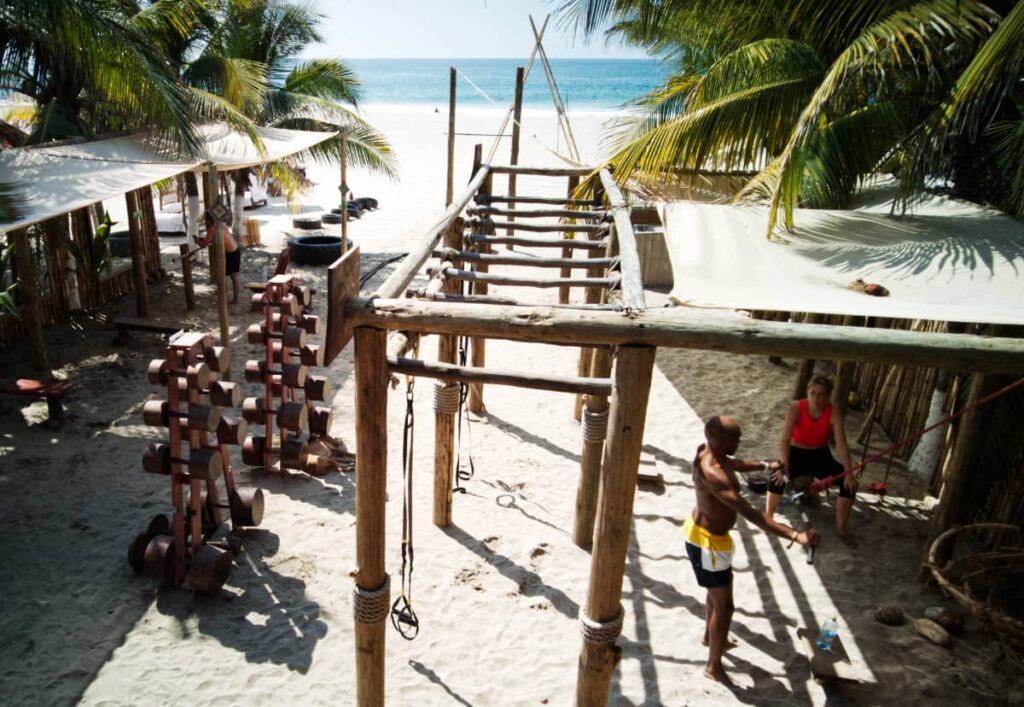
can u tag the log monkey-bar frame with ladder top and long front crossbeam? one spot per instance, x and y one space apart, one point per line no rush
613 317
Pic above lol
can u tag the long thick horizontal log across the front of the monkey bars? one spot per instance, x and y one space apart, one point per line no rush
682 328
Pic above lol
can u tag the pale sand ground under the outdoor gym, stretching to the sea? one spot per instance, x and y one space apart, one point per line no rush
498 595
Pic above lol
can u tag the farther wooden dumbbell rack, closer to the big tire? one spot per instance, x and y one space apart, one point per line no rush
284 370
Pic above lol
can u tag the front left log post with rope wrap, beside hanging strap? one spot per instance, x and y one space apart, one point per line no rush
371 492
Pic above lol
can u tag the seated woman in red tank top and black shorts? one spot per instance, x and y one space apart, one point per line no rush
805 452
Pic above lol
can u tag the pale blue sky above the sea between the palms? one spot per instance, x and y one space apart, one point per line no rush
444 29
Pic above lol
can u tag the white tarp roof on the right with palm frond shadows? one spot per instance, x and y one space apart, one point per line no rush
950 262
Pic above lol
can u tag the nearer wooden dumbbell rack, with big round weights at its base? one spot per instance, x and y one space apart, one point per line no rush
181 550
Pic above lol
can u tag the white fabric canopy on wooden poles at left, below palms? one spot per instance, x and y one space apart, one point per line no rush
51 182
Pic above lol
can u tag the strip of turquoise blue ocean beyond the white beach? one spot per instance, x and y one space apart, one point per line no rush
590 86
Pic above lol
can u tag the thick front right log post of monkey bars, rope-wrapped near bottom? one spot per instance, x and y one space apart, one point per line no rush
615 513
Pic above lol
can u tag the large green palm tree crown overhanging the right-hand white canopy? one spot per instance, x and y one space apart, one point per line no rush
806 100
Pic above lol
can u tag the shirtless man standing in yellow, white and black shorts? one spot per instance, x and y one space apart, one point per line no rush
708 544
